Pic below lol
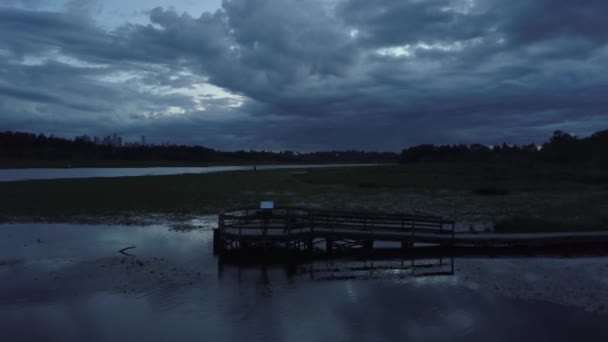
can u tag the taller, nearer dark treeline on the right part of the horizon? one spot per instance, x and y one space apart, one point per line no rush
561 148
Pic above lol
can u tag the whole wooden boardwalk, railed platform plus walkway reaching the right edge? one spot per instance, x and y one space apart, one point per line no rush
314 231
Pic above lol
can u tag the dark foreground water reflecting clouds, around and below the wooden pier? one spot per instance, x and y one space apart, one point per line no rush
61 282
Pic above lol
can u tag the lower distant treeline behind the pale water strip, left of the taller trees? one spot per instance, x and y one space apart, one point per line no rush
20 146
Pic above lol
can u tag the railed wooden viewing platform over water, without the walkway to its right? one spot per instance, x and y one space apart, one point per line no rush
311 231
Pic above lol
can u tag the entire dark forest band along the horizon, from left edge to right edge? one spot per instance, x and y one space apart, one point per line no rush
561 148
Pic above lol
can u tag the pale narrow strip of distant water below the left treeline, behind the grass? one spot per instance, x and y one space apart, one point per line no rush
9 175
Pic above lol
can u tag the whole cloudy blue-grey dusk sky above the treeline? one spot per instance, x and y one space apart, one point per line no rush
377 75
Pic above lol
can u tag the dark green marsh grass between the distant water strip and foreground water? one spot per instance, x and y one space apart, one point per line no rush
508 198
